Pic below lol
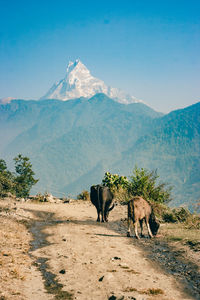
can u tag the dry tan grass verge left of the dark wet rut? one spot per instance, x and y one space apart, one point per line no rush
14 259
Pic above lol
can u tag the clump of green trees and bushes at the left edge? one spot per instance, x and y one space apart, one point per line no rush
20 182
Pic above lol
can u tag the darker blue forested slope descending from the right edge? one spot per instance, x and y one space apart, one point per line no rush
173 147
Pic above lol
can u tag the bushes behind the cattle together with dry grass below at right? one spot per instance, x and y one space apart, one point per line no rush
178 224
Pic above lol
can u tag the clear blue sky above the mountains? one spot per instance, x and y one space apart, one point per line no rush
150 49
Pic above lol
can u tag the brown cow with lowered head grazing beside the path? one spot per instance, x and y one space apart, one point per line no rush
138 211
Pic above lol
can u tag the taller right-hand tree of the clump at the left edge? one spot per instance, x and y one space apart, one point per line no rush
24 179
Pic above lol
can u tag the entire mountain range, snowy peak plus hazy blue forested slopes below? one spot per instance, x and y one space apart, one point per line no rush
73 141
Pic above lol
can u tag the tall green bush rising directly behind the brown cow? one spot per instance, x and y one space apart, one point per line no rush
144 183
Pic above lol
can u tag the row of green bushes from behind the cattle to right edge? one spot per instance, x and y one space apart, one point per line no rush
144 183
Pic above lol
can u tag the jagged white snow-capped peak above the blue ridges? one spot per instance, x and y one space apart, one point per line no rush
78 82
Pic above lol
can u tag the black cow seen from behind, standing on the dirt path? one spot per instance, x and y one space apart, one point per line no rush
102 198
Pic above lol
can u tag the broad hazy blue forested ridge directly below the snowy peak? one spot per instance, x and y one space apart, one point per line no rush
66 140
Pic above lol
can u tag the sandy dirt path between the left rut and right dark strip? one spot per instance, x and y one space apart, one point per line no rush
97 260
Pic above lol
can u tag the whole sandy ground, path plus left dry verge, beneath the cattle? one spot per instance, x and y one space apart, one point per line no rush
58 251
